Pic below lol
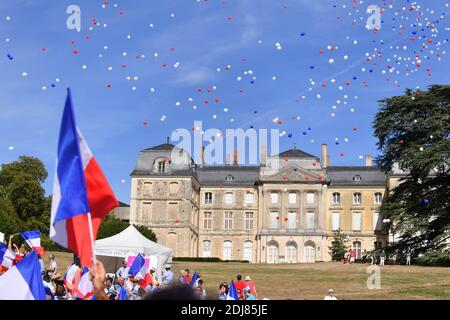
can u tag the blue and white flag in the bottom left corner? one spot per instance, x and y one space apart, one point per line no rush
23 281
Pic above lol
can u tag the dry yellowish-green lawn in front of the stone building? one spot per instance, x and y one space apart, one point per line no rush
312 281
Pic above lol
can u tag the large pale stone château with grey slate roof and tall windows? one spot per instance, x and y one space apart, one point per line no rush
256 213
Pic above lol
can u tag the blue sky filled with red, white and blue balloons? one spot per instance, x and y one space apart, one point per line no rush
177 47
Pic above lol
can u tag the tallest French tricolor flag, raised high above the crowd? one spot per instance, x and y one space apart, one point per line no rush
82 196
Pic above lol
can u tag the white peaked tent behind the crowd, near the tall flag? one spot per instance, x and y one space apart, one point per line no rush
111 251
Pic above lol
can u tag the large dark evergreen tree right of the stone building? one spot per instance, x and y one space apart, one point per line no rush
413 132
